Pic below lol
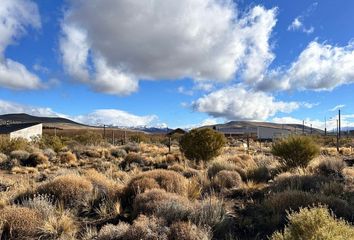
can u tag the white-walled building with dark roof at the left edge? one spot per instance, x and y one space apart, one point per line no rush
27 131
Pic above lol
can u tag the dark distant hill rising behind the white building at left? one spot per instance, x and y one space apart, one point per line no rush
26 118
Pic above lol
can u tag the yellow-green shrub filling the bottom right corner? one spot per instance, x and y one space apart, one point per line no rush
314 223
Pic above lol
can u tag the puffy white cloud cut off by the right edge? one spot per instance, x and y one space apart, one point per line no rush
318 67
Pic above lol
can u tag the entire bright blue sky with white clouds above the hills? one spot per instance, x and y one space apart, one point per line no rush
185 63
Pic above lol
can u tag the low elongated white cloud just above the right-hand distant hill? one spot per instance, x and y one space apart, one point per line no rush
237 103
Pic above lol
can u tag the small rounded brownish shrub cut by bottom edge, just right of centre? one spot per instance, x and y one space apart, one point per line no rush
188 231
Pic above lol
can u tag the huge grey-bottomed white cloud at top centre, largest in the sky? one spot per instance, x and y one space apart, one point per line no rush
163 39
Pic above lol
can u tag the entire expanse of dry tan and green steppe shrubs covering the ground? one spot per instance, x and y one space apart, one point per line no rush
82 187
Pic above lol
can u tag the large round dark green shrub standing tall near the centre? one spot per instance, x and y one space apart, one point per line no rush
202 144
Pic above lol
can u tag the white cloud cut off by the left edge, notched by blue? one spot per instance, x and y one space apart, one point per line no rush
15 16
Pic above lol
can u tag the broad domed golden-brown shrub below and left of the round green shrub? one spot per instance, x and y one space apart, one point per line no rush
165 179
